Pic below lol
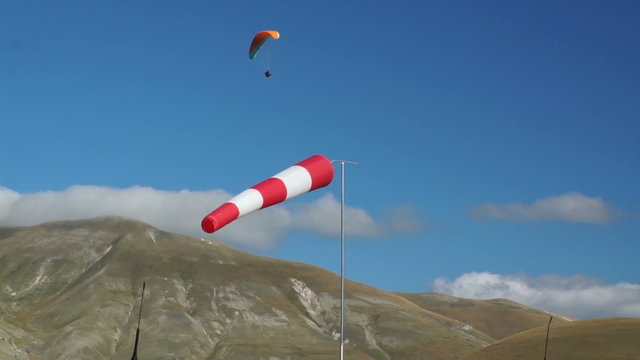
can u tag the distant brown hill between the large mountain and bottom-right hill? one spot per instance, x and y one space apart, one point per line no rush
497 318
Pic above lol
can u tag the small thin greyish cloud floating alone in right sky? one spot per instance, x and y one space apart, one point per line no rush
570 207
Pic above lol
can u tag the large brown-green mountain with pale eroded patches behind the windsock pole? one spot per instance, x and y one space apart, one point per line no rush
71 290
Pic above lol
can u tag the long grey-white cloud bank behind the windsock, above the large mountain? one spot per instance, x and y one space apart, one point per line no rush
182 211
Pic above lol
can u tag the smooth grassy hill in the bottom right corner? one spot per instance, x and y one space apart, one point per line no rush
599 339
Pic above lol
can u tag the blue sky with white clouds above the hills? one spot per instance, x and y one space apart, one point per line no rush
498 142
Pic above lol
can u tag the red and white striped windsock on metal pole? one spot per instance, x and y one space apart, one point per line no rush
307 175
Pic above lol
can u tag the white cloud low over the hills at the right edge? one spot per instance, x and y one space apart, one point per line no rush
577 296
